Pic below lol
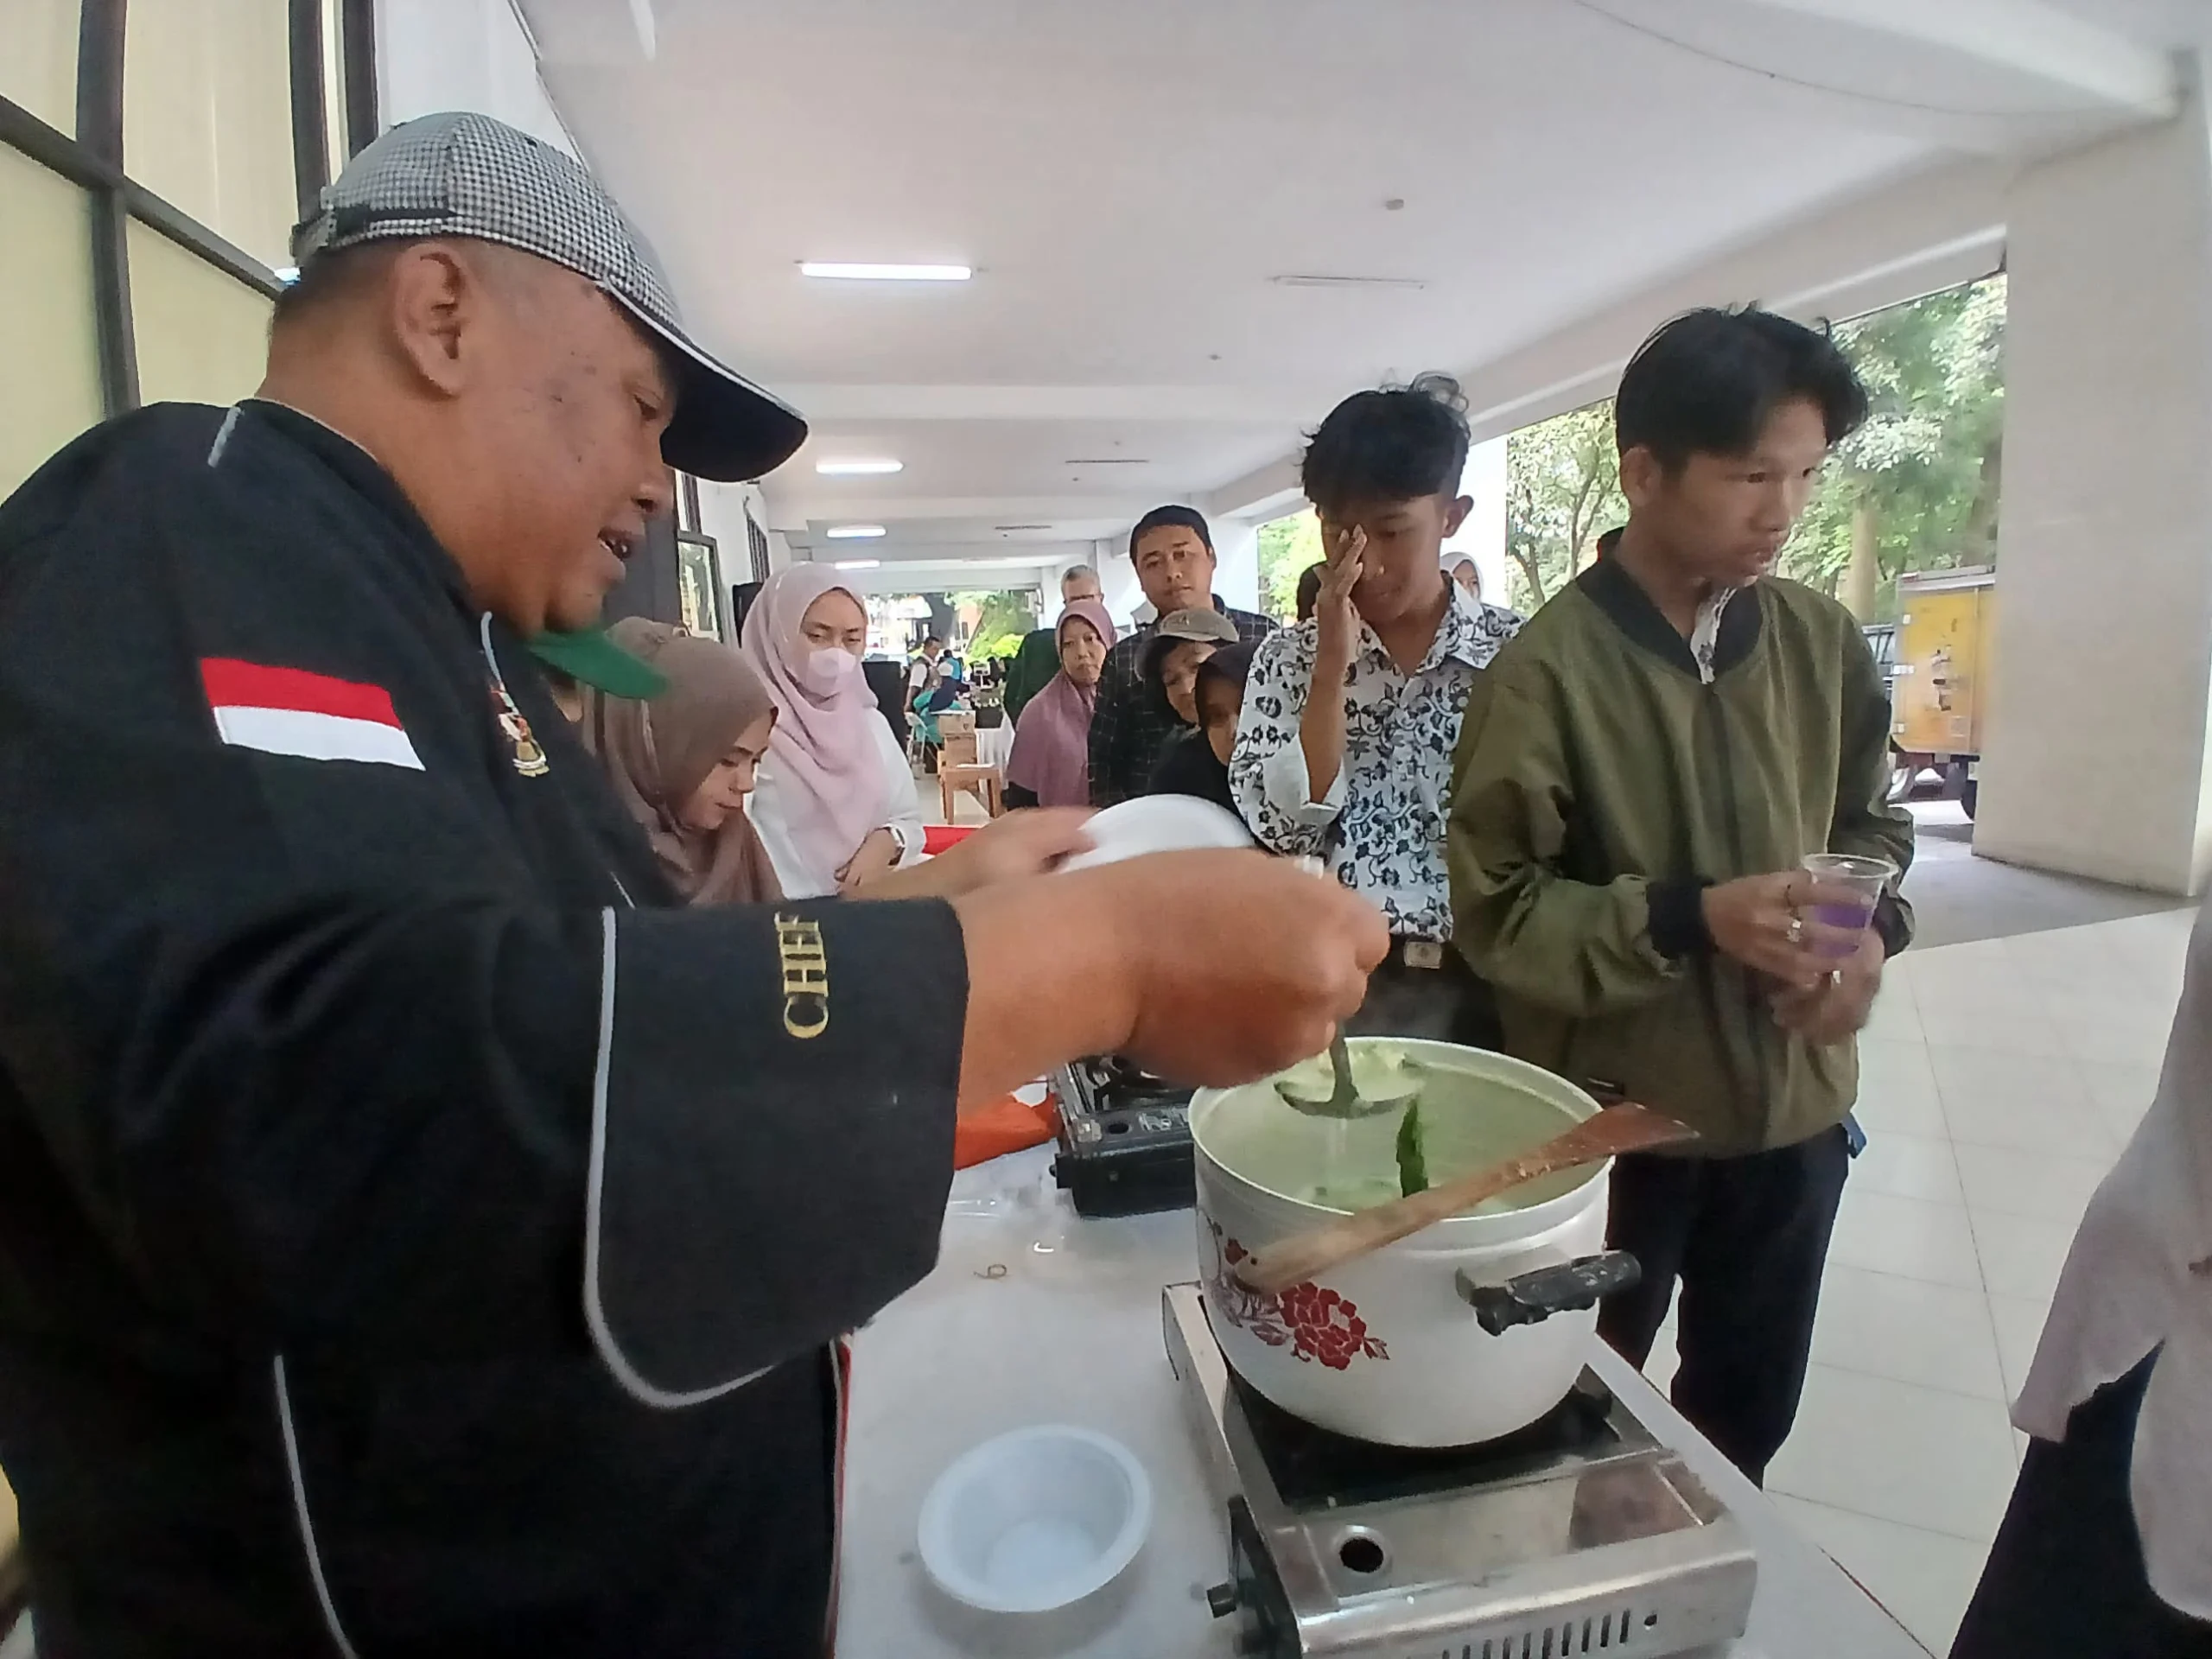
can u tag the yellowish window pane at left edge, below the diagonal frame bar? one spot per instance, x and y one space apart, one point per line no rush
50 353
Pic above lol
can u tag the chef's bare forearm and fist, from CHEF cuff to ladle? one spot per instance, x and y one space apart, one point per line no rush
1211 968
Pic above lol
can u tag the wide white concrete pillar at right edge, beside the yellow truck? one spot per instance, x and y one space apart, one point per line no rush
2096 747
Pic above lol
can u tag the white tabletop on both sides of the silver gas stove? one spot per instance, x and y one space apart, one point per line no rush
1074 1335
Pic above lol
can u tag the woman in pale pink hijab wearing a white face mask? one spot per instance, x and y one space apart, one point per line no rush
835 800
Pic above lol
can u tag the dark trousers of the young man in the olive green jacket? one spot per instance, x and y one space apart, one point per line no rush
1749 1240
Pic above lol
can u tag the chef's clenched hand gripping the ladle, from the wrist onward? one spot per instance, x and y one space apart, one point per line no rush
1240 963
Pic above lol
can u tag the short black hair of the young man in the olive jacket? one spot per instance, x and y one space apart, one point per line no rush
1709 382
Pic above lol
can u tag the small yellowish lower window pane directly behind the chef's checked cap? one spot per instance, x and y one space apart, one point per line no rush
202 335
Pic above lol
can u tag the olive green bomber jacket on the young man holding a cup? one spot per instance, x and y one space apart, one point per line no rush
1600 786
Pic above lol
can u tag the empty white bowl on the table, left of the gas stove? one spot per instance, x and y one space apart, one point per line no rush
1036 1519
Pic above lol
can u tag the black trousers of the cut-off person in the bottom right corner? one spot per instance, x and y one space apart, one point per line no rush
2067 1569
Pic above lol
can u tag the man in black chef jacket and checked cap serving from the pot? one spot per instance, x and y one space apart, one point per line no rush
417 1235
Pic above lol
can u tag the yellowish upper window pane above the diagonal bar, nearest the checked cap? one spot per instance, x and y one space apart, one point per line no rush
209 116
